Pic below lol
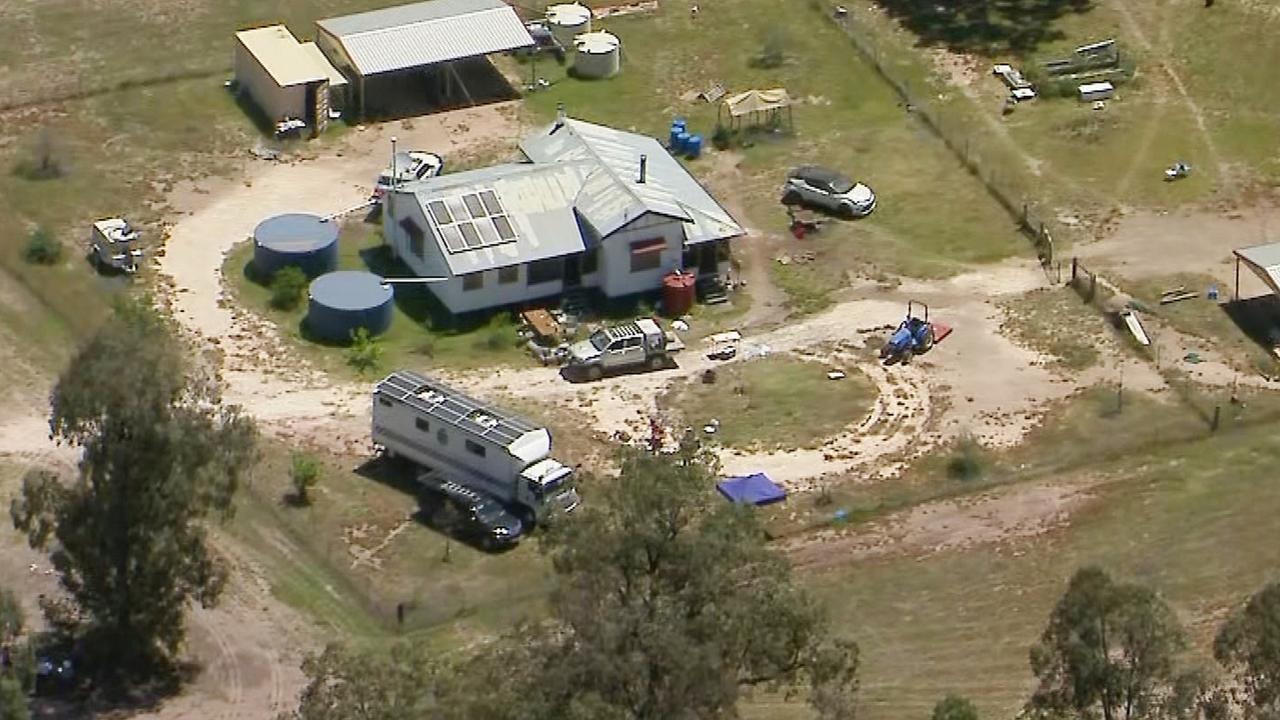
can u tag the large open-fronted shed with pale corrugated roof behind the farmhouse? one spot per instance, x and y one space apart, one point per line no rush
436 42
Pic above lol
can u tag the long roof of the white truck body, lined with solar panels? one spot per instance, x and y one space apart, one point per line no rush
455 409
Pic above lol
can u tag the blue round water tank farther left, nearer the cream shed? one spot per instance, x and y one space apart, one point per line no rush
296 239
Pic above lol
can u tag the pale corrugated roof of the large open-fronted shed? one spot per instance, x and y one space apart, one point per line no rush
426 34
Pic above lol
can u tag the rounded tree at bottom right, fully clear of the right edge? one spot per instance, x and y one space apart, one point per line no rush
1109 649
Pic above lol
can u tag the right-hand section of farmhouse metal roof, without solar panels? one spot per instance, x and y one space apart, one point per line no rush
614 198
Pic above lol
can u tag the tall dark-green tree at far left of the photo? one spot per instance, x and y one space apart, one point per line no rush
159 455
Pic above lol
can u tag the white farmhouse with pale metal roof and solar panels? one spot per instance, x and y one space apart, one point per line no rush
591 208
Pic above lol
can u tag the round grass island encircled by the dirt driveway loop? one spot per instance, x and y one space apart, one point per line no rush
774 403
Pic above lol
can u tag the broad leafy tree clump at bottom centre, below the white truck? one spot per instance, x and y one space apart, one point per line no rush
669 604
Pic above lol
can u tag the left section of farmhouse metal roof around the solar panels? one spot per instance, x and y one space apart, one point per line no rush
537 200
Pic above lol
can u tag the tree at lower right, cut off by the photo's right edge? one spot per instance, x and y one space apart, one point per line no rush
1249 646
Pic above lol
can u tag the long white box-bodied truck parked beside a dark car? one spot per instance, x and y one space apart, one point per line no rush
455 438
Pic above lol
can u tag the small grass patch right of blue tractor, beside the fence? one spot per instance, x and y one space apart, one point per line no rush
1057 322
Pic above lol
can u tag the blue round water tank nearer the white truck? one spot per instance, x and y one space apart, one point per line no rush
340 303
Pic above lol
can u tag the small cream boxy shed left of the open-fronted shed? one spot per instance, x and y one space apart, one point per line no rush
286 79
